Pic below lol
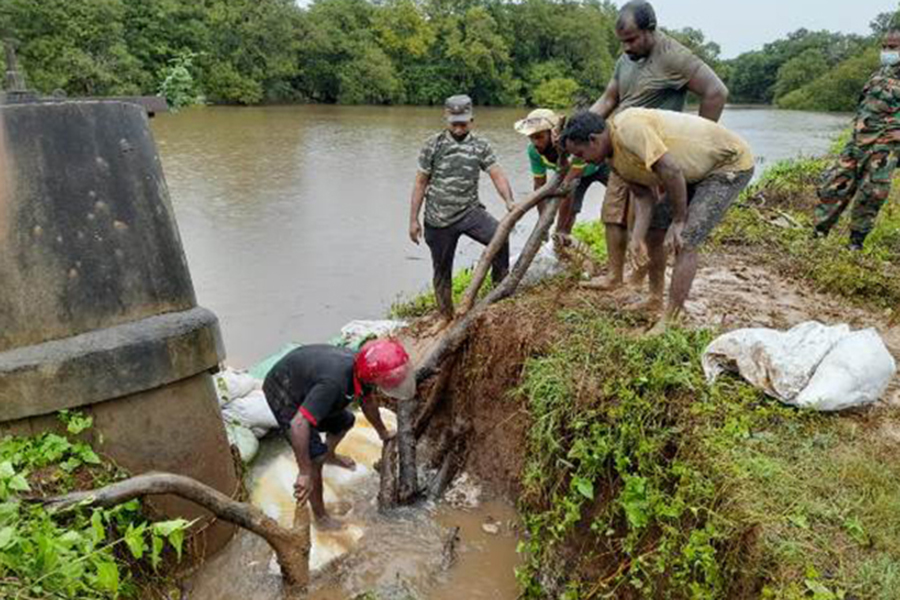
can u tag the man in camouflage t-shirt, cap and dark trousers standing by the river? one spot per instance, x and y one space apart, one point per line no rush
447 182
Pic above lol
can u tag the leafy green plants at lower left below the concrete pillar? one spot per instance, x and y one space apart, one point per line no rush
80 553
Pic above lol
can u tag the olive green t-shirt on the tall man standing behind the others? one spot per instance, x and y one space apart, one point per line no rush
659 80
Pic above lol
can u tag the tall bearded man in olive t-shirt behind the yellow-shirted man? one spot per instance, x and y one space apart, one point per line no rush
655 71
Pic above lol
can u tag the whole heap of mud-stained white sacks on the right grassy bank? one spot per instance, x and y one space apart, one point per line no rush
812 365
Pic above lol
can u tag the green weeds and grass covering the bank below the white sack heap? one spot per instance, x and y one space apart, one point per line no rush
643 481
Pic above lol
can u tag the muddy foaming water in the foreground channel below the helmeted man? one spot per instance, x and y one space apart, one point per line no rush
402 556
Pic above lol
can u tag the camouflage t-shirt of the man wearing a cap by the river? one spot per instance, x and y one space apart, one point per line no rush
453 168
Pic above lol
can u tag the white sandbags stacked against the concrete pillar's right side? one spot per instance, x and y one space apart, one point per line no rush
244 409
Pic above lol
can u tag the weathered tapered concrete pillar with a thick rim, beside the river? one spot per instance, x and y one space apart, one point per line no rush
97 308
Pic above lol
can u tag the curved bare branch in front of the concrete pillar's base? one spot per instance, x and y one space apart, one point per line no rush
291 546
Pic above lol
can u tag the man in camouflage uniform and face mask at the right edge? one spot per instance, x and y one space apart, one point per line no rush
866 165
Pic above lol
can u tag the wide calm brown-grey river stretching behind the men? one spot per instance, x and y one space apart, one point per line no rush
294 219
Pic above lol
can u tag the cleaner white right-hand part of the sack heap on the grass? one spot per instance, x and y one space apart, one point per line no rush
856 372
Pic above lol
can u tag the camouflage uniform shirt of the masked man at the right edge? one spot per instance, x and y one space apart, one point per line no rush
878 113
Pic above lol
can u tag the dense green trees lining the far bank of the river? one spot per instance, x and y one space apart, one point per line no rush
534 52
